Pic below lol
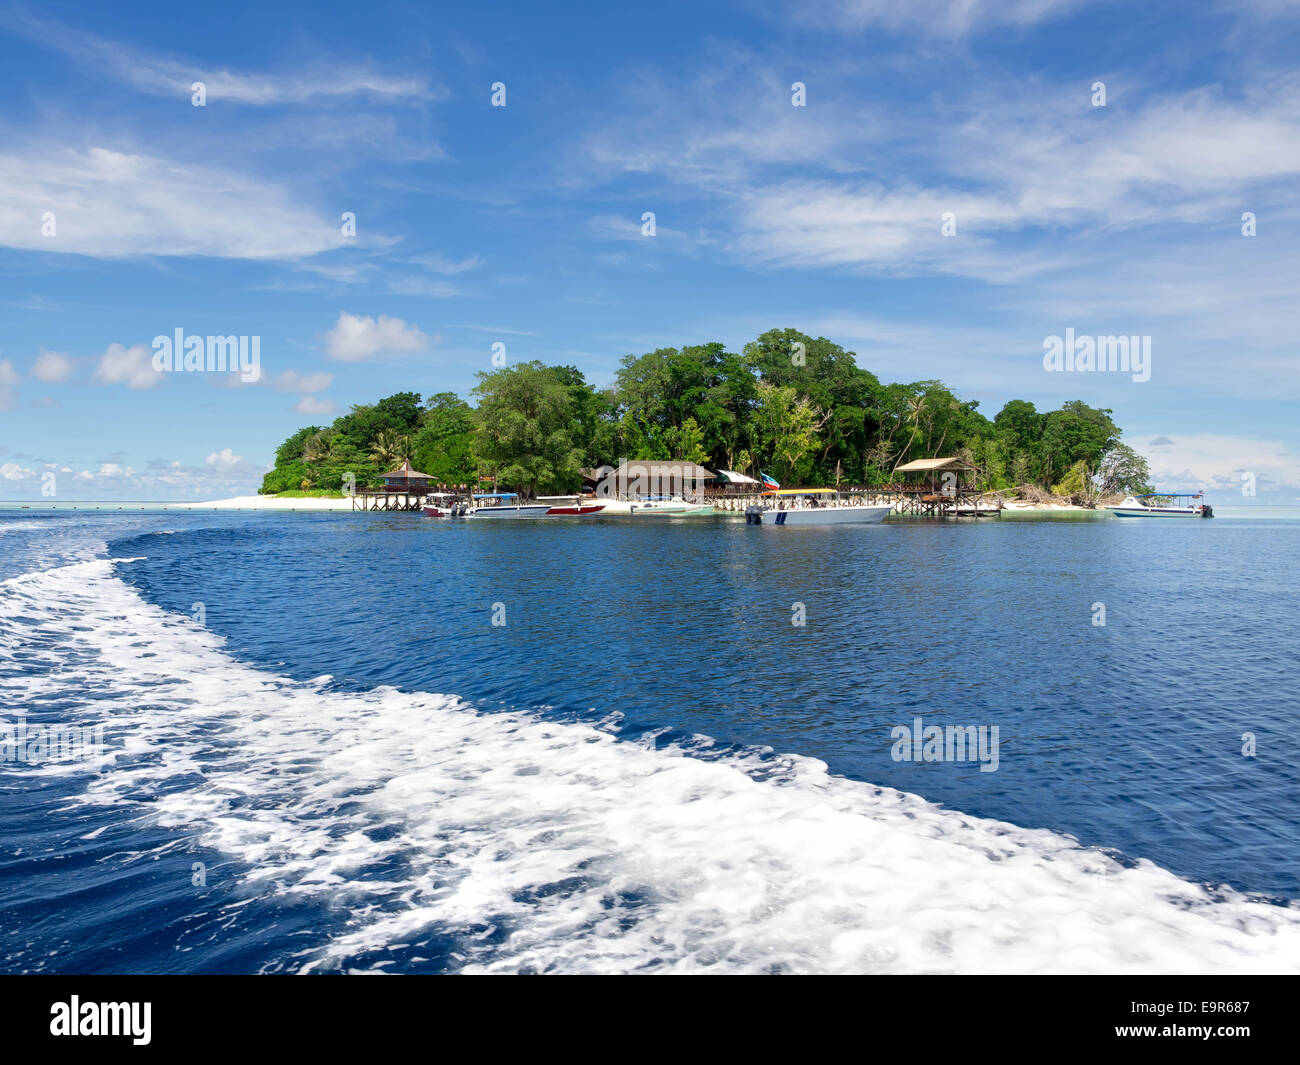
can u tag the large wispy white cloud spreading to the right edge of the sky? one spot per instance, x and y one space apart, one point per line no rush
837 187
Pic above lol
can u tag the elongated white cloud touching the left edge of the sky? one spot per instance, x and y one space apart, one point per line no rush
114 205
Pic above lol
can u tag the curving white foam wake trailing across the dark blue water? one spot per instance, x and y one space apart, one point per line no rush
554 847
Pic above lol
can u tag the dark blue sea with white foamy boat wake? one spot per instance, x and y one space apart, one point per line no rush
383 743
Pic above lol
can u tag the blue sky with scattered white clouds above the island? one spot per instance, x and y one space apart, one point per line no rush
523 224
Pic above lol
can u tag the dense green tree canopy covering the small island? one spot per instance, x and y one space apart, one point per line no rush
795 406
